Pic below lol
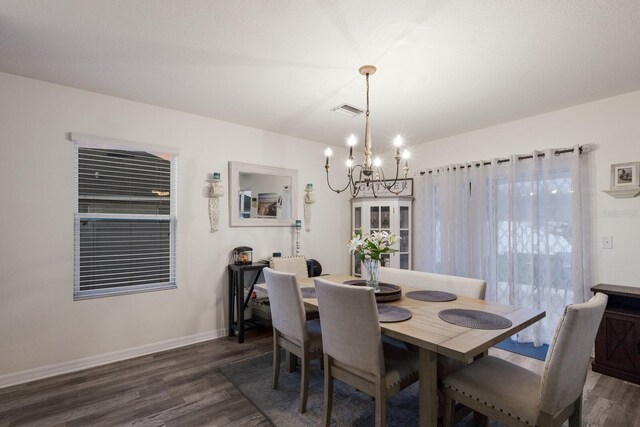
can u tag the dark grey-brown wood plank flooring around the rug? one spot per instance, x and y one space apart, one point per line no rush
183 387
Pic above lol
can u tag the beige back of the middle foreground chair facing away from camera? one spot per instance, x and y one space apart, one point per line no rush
350 325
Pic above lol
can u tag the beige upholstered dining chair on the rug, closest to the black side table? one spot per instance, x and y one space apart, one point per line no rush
291 330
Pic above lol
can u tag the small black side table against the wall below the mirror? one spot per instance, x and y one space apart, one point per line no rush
237 302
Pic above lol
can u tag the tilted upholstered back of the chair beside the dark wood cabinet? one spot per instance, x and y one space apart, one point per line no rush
565 369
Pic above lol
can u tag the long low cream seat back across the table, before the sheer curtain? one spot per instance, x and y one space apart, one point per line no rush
463 286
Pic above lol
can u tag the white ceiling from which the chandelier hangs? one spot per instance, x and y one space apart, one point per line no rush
444 67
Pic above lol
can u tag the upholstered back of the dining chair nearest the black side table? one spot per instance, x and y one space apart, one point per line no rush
287 307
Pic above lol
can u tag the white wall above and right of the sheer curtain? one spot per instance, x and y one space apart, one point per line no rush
612 126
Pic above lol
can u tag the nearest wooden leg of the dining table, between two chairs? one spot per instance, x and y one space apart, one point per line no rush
428 399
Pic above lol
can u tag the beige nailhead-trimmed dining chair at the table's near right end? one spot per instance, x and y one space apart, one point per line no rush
516 396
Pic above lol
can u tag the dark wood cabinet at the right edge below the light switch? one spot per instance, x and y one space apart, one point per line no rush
618 339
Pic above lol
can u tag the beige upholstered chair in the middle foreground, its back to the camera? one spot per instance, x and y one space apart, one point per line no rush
353 349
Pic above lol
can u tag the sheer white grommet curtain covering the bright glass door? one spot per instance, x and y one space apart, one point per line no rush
522 225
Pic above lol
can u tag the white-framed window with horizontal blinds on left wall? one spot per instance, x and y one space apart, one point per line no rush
125 220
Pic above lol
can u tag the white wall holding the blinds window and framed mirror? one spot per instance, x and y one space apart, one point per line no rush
40 324
